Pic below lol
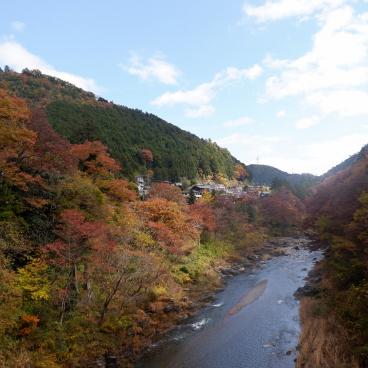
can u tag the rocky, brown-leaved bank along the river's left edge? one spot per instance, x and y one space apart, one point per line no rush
166 314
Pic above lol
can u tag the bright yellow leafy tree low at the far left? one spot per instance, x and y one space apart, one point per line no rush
33 280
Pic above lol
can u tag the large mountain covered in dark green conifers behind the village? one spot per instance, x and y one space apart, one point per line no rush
79 116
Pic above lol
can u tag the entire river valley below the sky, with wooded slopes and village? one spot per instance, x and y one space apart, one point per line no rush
126 241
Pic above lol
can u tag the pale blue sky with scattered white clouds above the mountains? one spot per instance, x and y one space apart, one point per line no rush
277 82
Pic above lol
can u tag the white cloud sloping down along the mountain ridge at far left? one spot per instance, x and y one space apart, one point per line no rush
17 57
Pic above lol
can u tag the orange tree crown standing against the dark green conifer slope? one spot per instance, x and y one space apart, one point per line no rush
94 159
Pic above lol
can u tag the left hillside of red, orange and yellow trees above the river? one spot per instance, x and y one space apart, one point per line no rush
87 269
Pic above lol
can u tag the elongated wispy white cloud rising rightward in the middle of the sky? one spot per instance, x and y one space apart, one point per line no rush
200 97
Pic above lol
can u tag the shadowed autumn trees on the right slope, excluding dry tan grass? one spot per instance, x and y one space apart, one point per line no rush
338 209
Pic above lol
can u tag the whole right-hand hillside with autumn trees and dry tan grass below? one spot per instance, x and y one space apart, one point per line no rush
335 321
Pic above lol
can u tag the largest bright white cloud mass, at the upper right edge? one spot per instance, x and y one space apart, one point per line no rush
333 75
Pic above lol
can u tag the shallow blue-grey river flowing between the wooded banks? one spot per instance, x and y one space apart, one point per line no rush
252 323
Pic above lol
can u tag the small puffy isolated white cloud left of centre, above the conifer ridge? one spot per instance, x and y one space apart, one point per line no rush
155 68
